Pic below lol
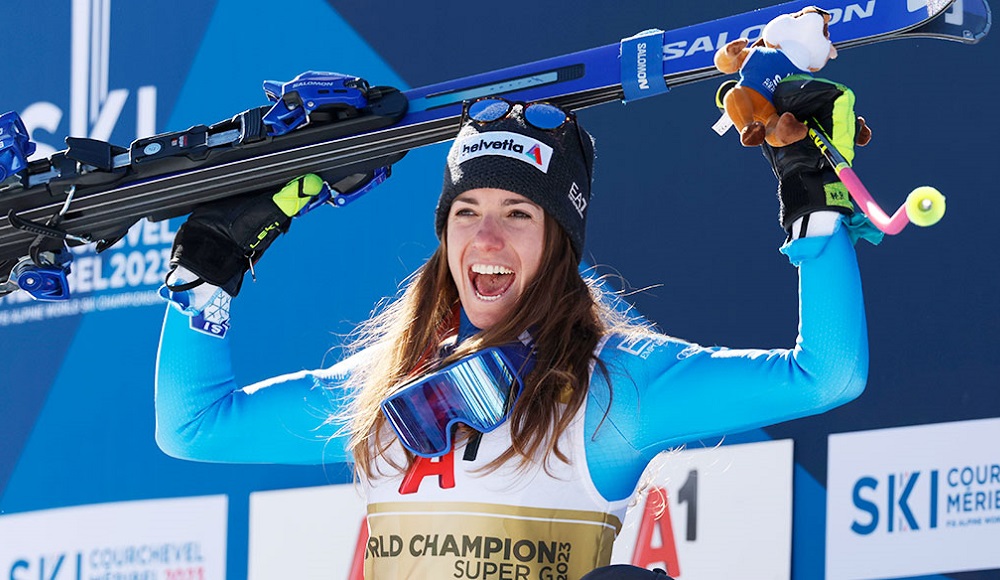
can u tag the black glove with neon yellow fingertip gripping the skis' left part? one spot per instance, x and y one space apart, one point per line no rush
221 240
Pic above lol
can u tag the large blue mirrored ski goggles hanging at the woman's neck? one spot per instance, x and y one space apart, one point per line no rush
478 391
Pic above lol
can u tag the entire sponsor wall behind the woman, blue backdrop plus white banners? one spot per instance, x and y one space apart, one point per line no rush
80 475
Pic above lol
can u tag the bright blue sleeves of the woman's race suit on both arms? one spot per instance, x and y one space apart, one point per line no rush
664 391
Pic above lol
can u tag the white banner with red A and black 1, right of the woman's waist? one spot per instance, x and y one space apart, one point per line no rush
728 514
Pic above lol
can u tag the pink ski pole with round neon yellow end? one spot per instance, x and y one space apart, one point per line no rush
924 205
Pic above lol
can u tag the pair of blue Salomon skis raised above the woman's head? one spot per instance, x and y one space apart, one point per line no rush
94 191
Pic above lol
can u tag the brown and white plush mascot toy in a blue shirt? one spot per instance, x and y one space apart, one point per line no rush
790 44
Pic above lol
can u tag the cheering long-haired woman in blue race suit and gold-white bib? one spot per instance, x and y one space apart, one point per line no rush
543 489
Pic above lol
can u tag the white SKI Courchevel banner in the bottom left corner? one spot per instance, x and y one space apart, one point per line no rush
171 539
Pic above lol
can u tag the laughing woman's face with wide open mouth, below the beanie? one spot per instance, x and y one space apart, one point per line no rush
495 241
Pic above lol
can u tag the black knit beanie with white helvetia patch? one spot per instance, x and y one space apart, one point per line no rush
550 167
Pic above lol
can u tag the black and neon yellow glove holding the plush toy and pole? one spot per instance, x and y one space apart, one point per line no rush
806 181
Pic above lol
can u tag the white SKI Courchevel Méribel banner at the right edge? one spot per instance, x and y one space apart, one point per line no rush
914 500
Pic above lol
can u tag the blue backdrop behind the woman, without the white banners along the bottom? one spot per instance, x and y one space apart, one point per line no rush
686 215
